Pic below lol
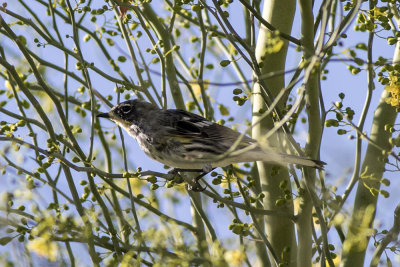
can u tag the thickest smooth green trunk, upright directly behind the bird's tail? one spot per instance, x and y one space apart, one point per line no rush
280 231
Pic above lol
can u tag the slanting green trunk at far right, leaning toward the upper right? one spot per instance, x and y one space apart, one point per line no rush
373 166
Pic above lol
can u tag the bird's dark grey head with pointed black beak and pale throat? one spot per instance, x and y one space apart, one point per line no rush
128 112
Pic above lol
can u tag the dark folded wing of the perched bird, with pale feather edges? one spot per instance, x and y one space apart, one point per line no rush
184 124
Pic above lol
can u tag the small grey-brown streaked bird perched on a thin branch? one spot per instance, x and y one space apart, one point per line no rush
189 142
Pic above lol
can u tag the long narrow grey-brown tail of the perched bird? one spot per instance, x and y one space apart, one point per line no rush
281 158
